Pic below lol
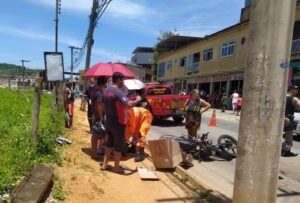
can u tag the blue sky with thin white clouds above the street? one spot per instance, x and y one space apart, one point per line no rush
27 27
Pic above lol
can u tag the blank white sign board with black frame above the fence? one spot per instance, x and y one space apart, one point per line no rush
54 66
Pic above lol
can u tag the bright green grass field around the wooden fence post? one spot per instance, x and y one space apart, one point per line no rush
17 153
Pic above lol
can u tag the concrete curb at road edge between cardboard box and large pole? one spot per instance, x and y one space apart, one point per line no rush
204 190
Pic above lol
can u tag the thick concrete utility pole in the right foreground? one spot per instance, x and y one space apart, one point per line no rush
260 133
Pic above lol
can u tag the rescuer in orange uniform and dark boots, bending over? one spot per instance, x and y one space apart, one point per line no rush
138 124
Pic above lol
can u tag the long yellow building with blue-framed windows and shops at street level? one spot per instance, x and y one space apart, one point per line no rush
214 63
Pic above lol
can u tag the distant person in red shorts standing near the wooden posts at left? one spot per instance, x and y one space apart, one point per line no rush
69 99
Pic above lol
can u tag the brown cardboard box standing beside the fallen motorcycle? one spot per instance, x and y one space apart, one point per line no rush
165 153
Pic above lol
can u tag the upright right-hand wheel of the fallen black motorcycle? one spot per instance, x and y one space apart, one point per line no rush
228 145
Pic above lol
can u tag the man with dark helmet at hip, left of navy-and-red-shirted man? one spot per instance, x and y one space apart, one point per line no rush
98 113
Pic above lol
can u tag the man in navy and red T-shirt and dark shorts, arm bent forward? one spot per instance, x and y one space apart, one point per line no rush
115 102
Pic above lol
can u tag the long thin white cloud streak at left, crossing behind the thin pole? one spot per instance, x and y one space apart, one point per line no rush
33 35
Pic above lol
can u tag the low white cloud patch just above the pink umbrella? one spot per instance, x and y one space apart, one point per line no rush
108 56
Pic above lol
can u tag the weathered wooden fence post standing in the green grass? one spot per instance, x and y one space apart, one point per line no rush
36 107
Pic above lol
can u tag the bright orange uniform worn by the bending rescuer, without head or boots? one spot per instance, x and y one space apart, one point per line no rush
138 123
